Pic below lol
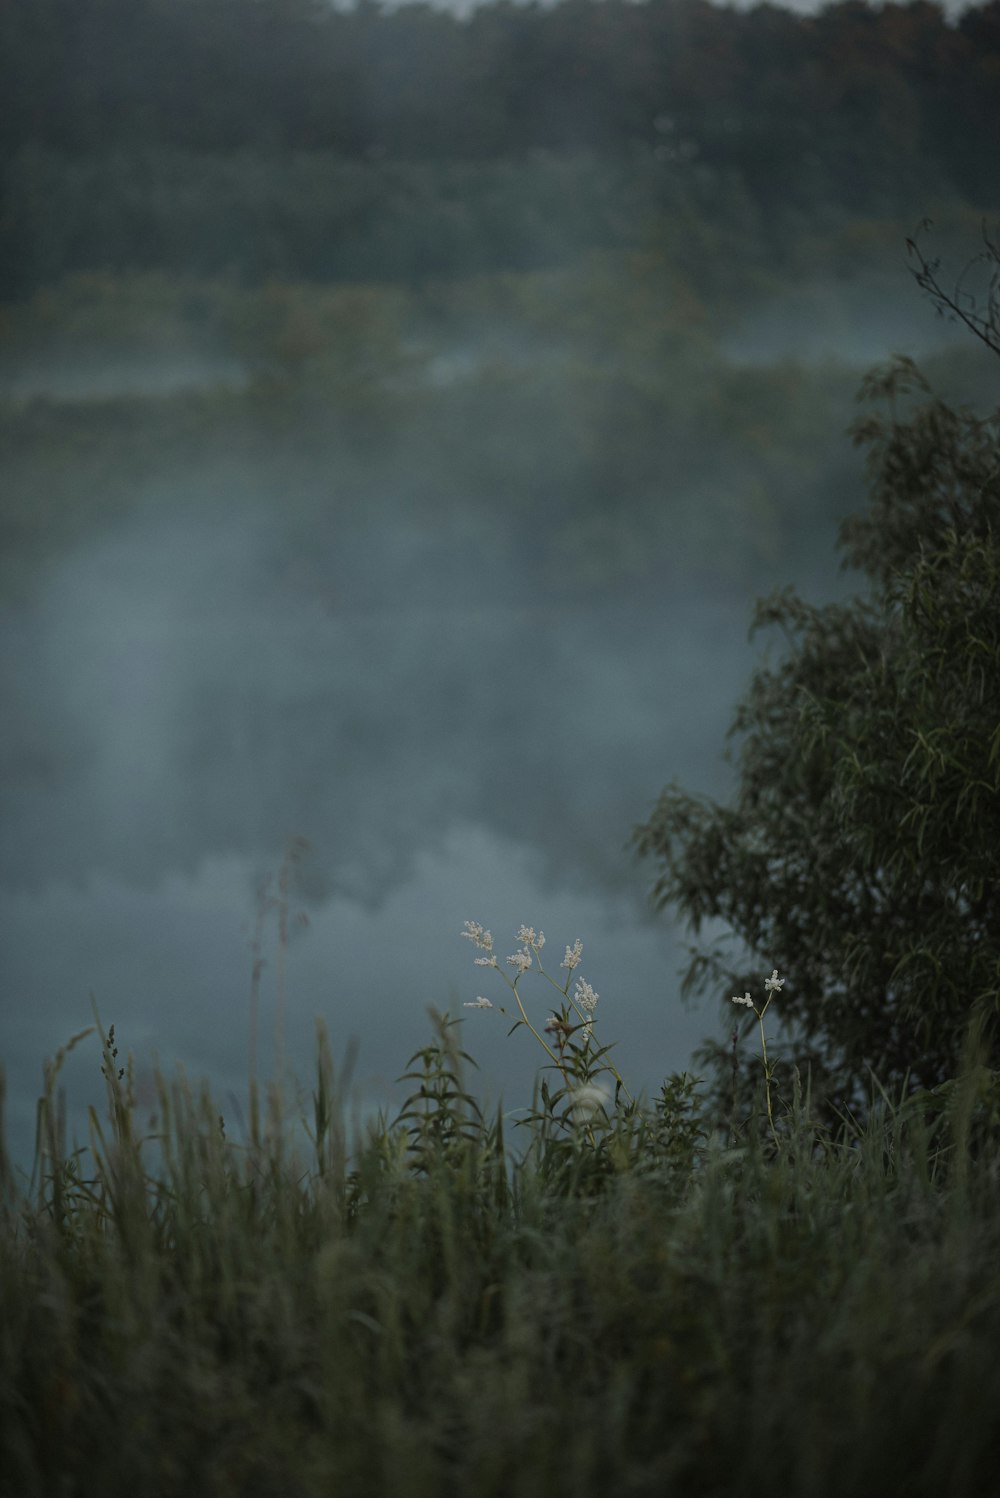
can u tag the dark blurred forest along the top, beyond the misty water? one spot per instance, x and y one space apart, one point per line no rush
287 139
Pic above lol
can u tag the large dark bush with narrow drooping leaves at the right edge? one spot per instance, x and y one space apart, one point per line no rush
863 840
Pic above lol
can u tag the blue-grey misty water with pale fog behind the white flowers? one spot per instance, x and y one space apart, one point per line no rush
195 685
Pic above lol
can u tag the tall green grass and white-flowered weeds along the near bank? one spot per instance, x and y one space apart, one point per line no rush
618 1297
